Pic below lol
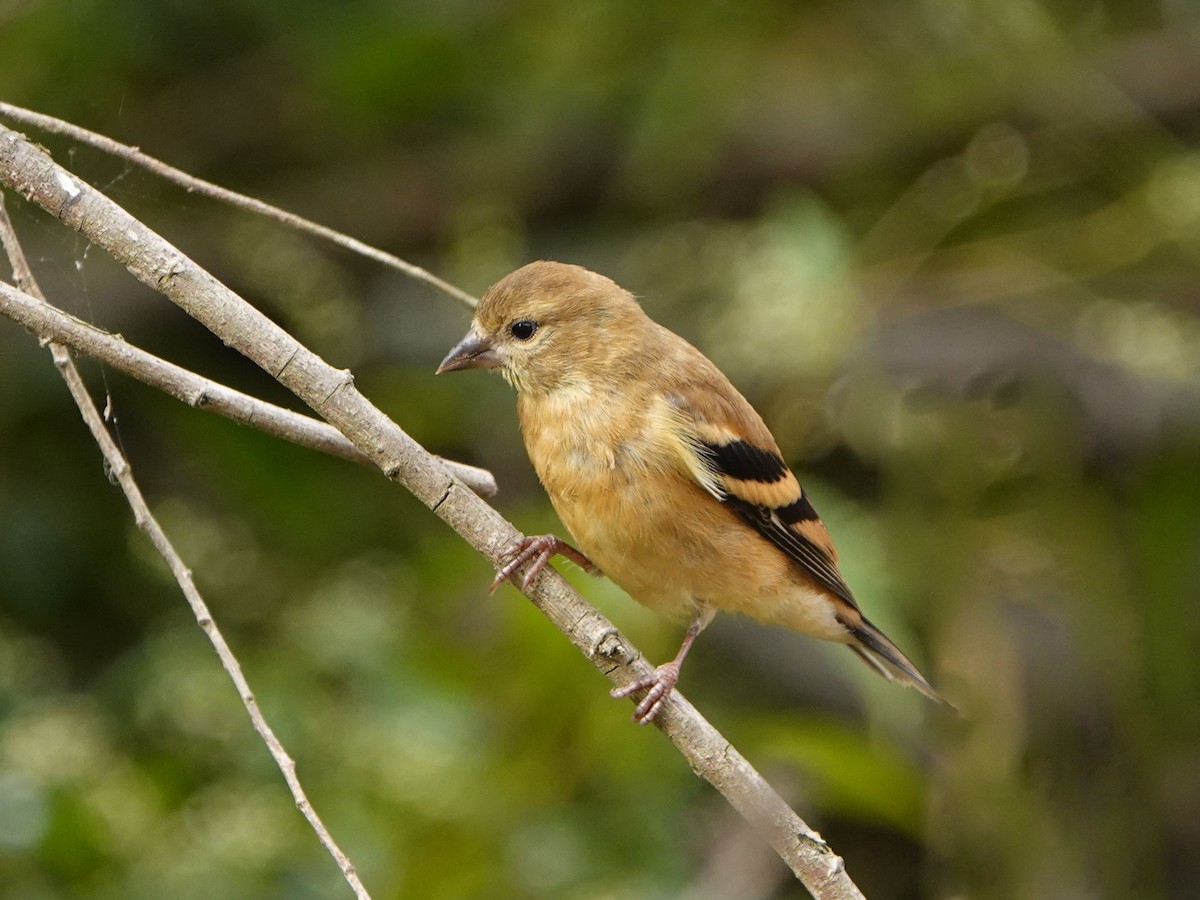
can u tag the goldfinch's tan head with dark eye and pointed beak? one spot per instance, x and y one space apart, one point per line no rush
549 325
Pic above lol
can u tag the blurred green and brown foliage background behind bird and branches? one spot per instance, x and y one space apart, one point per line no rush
950 250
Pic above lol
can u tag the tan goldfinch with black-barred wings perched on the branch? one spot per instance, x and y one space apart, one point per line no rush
665 476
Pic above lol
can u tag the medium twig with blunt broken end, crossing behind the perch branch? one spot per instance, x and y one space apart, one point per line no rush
52 323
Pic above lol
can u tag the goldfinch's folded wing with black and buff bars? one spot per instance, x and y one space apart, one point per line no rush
729 451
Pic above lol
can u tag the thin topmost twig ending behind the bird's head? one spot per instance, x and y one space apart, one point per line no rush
196 185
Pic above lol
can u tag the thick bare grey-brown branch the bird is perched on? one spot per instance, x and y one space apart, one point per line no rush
333 395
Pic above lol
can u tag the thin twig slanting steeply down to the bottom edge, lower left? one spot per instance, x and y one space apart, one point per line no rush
119 469
